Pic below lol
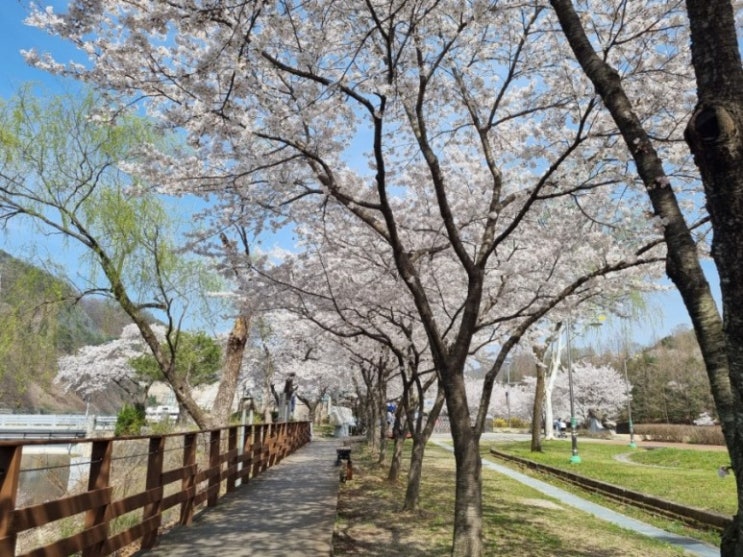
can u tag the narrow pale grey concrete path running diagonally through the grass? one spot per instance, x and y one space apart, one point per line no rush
694 547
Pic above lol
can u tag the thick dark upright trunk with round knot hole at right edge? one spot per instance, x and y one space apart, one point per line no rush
715 136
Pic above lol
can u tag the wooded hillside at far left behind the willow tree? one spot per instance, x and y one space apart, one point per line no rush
44 317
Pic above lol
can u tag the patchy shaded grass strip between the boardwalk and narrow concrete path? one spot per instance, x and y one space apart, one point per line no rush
518 521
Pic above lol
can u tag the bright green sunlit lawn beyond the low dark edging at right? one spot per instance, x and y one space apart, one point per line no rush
685 476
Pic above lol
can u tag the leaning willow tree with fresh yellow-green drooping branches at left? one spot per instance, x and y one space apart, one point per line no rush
62 172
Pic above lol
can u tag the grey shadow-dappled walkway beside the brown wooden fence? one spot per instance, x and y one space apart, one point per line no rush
288 511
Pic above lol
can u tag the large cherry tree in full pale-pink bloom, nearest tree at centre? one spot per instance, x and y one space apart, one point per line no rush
495 186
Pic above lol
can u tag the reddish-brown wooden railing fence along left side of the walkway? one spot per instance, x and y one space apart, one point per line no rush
126 489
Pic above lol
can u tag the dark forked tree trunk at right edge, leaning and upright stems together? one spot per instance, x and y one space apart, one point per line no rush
714 134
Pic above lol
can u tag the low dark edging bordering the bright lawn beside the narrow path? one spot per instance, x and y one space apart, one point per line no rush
696 518
